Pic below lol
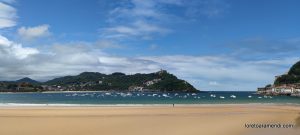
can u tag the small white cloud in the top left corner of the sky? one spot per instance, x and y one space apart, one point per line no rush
7 15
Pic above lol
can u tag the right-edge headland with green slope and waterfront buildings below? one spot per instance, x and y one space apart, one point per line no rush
286 84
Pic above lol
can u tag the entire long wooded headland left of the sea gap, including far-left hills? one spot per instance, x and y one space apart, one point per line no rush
160 81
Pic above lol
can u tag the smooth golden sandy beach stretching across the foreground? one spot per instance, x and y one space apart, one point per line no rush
148 120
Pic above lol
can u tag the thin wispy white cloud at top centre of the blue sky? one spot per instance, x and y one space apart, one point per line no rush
144 19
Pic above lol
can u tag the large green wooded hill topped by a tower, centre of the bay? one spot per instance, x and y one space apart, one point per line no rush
159 81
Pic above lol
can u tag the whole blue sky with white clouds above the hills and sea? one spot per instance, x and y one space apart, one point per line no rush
223 45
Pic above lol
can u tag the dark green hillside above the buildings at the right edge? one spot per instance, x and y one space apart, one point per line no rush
293 76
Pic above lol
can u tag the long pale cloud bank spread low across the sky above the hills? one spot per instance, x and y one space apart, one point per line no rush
204 72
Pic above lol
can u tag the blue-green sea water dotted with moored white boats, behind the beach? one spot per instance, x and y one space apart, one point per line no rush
102 98
